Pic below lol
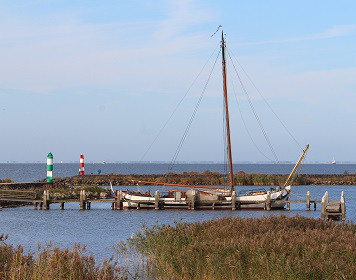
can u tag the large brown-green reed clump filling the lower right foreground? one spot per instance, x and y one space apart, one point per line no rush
254 248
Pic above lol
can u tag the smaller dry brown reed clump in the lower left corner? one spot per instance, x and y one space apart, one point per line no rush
51 263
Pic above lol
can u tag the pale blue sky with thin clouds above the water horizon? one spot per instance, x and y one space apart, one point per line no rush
103 77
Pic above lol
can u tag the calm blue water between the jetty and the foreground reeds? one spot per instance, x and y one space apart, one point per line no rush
101 228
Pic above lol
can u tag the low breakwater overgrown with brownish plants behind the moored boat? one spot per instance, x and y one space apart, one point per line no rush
204 178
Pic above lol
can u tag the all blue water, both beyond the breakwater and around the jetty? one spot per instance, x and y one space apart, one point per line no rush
101 228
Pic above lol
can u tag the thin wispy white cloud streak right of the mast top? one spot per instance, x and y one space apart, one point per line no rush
333 32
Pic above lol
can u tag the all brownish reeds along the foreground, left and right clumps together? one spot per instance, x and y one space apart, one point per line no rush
226 248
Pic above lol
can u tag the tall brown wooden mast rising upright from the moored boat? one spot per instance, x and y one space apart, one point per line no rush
231 173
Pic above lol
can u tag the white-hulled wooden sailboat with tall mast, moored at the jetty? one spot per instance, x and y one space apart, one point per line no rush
255 198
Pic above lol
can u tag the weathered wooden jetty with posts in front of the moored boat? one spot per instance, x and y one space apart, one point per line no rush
330 209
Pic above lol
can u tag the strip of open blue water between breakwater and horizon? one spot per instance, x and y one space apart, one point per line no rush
28 172
